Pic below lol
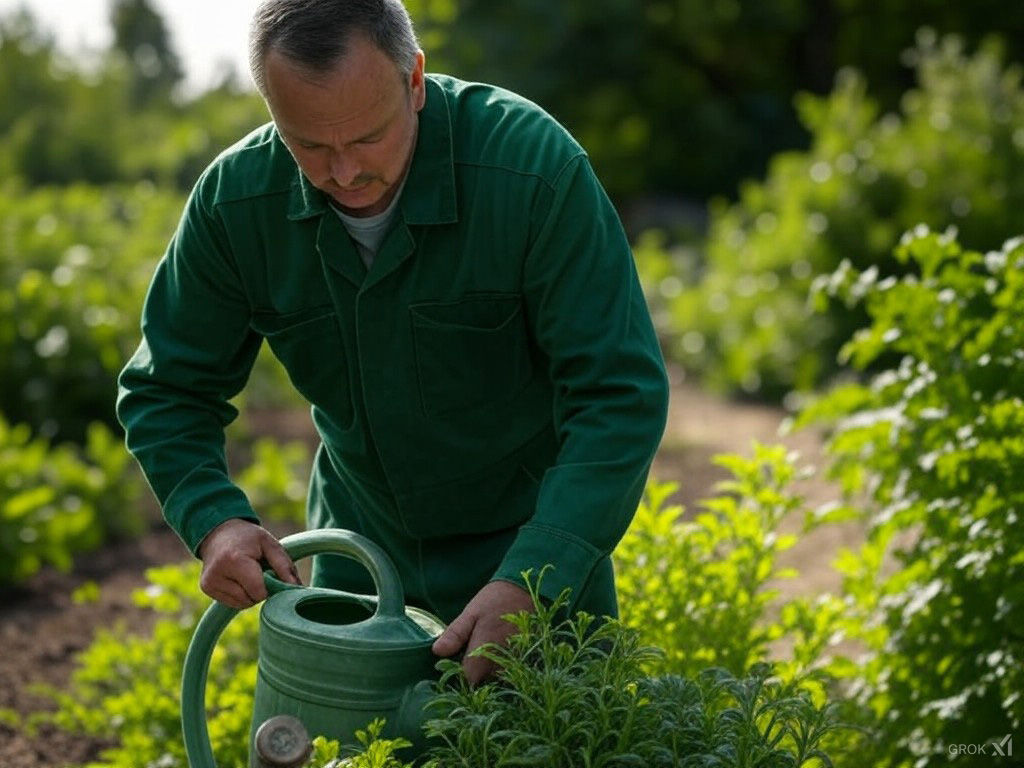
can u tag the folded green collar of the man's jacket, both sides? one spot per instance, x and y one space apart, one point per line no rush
430 197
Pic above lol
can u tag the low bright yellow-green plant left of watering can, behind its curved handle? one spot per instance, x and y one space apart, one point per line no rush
126 688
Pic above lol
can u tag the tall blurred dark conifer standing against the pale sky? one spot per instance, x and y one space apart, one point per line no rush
142 36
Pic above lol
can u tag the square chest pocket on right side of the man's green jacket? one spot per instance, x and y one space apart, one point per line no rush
471 354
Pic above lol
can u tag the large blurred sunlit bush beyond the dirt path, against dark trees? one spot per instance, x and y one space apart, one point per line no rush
954 154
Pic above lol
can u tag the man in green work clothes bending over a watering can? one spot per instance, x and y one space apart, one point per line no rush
443 277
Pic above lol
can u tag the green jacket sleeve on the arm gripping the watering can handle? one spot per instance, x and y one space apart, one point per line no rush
196 355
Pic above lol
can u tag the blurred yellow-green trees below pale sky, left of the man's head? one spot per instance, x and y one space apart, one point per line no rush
65 121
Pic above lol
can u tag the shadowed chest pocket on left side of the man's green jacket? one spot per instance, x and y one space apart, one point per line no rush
311 348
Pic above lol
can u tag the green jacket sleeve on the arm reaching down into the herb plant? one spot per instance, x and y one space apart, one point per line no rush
588 315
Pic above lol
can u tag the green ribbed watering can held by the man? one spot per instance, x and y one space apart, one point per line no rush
329 660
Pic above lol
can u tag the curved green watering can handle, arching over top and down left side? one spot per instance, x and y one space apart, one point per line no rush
328 541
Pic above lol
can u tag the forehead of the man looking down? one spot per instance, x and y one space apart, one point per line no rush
363 89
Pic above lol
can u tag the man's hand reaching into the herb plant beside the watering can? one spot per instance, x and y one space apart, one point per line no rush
482 623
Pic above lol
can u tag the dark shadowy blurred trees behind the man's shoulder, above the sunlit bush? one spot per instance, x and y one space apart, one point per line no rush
692 97
